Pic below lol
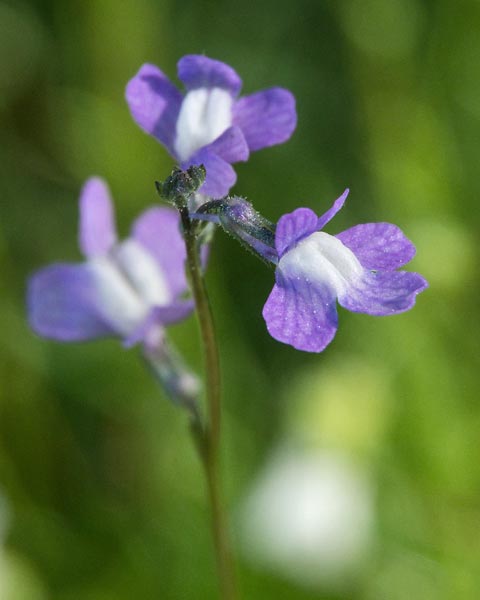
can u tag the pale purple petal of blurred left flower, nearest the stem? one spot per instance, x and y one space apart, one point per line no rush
157 230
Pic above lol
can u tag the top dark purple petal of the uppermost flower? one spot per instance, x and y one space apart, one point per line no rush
196 71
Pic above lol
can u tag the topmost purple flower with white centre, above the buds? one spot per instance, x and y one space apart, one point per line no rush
209 125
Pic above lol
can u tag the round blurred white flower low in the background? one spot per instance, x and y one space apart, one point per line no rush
309 516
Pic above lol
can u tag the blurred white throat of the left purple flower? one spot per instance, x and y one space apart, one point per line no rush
129 282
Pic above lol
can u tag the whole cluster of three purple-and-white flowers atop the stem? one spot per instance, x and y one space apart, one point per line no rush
135 288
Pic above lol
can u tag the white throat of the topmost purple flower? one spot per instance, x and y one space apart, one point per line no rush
205 114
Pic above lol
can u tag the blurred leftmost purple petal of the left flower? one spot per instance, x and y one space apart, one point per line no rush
61 304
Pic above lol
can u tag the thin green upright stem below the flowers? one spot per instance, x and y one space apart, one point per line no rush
208 437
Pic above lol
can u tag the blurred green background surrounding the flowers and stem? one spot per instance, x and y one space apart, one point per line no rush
104 492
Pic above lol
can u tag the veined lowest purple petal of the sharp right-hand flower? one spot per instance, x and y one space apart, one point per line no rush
301 315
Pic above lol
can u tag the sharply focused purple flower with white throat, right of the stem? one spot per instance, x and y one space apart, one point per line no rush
356 267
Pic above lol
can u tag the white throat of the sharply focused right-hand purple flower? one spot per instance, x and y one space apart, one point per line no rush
322 259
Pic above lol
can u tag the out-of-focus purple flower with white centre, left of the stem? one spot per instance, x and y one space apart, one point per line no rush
130 289
